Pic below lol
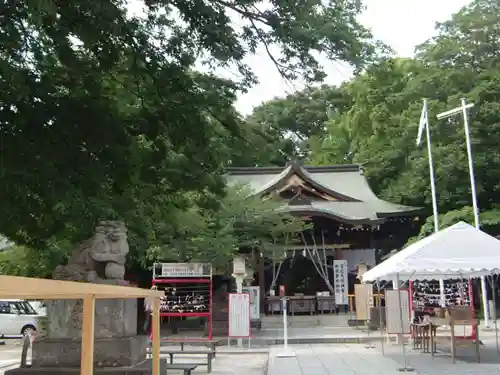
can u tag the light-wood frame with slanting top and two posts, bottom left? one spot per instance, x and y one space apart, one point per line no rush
34 288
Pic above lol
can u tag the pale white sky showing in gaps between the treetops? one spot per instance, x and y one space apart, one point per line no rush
402 24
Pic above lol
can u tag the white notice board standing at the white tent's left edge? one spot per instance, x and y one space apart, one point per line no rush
392 311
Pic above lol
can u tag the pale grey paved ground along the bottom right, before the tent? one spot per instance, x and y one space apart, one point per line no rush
355 359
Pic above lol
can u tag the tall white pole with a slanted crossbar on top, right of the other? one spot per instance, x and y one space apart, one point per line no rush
463 110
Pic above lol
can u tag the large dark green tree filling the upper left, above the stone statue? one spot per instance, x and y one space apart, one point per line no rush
103 114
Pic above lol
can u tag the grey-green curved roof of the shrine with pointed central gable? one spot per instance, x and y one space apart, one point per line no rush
352 199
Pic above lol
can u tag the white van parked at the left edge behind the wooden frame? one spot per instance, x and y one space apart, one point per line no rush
17 317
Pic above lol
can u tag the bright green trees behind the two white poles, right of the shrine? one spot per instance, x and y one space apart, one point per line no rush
373 119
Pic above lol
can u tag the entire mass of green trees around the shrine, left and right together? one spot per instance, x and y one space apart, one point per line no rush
104 115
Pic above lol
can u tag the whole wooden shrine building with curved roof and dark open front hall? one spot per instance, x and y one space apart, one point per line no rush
351 227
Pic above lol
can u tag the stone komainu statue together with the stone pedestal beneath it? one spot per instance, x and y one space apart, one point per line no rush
101 260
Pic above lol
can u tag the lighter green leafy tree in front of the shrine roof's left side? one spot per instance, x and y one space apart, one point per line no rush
242 222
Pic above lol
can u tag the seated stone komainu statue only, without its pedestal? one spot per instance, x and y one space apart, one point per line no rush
100 259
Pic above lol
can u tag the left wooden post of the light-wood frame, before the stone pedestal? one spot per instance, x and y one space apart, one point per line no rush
87 356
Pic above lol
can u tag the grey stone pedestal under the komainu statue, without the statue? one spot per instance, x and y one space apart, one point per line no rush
116 342
